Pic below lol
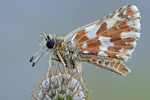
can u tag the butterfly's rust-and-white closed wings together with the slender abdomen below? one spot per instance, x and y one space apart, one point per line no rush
109 40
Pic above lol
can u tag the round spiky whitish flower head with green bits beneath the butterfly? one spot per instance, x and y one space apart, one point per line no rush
59 85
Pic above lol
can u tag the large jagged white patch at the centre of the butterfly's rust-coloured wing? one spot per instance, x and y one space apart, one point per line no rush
105 43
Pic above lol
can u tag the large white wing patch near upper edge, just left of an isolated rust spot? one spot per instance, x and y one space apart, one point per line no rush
91 31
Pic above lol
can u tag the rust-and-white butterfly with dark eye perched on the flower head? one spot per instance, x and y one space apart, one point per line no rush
107 42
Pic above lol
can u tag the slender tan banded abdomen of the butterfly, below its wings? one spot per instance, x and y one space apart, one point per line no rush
110 64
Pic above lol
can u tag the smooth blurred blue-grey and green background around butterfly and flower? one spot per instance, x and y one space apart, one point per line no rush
21 22
